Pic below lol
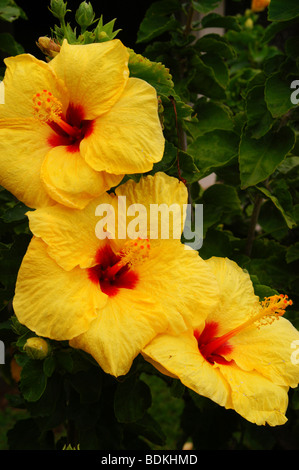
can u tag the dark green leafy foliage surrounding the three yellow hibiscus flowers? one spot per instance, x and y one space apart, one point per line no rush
224 85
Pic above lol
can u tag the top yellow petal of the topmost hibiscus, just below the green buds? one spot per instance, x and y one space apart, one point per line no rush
94 74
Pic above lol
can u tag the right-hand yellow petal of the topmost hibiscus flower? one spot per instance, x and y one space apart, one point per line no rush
127 139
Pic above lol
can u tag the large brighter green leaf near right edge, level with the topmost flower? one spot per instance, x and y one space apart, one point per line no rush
258 158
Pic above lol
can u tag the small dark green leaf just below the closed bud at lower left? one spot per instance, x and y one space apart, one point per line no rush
33 380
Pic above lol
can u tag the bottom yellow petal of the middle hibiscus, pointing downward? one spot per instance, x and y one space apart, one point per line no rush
121 330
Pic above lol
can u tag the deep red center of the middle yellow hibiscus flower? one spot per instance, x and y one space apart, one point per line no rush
110 273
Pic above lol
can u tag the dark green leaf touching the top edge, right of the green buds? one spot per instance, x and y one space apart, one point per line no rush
159 18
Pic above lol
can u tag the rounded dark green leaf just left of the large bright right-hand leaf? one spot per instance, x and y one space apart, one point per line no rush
213 150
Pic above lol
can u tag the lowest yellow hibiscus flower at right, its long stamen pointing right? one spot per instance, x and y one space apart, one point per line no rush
239 356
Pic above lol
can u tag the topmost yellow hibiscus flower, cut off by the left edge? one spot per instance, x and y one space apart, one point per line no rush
71 128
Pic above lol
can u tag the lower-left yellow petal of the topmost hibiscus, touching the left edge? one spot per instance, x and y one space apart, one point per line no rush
23 146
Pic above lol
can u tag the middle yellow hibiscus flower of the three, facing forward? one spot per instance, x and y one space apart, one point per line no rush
110 297
